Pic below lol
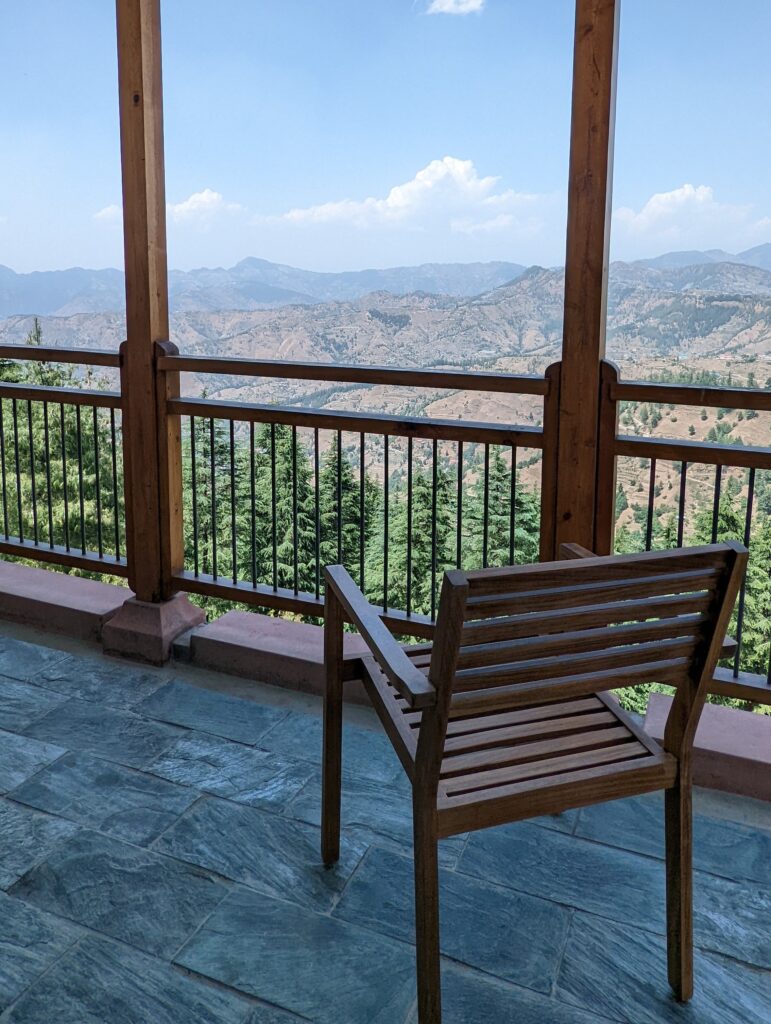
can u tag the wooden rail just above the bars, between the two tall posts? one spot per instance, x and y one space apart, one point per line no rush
368 423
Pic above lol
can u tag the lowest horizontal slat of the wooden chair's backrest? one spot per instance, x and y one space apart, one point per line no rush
670 671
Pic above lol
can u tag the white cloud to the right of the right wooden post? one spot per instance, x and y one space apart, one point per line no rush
689 218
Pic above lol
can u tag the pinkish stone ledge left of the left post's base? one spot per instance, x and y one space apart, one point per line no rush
57 602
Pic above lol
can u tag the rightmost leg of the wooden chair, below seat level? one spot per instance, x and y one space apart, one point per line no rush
679 889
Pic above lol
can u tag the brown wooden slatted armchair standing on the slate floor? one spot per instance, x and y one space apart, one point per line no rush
507 716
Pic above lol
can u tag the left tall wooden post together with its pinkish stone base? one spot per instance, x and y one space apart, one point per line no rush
146 627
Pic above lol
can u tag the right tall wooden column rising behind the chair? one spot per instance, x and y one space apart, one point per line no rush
589 201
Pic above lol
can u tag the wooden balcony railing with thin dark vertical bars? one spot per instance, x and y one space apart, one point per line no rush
270 494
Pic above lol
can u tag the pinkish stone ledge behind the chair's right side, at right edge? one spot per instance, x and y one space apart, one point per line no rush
733 750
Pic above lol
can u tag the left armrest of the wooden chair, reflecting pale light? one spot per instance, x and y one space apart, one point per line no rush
410 681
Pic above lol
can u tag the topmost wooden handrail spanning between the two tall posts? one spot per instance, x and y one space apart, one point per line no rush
347 374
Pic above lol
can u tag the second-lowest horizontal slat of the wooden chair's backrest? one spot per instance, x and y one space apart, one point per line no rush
581 642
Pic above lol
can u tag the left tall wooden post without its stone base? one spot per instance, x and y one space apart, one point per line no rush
150 524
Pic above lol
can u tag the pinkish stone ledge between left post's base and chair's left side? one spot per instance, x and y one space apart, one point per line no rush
272 651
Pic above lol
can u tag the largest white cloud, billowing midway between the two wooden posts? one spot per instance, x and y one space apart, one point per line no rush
449 190
